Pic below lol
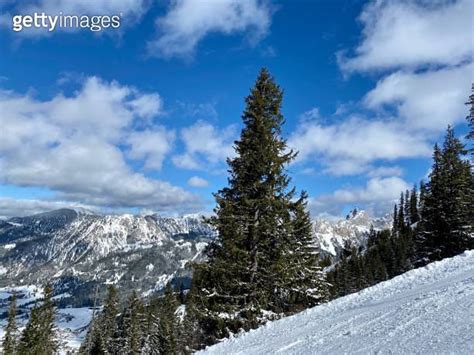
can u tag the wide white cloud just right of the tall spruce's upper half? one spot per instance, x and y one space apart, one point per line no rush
350 146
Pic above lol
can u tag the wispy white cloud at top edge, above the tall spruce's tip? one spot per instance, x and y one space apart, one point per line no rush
188 22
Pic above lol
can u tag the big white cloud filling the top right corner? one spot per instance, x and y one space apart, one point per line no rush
413 33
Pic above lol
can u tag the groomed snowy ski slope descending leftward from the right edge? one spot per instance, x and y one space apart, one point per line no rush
427 311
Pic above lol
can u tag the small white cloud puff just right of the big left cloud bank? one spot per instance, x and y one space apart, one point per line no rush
151 145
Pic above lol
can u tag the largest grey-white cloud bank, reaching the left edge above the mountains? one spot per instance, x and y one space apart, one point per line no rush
72 145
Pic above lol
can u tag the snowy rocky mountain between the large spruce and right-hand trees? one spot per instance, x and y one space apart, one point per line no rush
352 231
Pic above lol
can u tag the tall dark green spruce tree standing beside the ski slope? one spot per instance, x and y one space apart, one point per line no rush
247 268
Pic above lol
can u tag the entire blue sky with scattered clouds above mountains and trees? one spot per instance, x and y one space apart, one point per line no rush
141 119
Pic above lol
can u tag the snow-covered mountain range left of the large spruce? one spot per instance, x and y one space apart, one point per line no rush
78 249
